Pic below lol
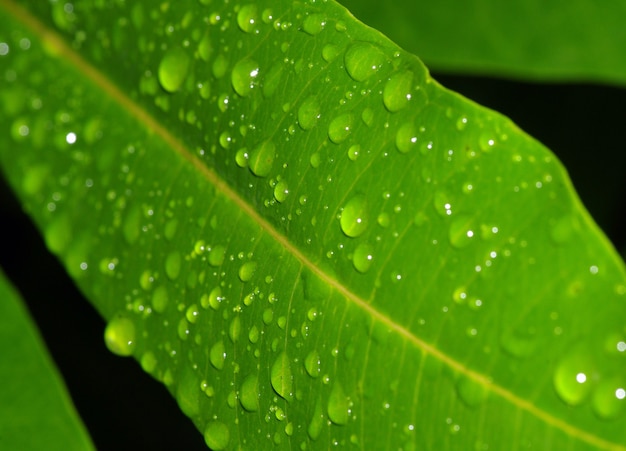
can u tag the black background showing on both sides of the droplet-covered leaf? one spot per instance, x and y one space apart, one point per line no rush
124 408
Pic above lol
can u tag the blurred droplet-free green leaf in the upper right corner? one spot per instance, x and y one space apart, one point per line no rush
581 40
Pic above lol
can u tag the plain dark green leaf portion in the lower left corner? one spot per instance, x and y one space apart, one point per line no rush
36 411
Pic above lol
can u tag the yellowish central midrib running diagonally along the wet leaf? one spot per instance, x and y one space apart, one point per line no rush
144 118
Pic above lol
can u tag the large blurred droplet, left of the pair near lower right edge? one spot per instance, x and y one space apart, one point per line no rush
574 376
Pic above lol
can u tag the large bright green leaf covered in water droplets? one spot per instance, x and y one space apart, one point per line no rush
306 238
